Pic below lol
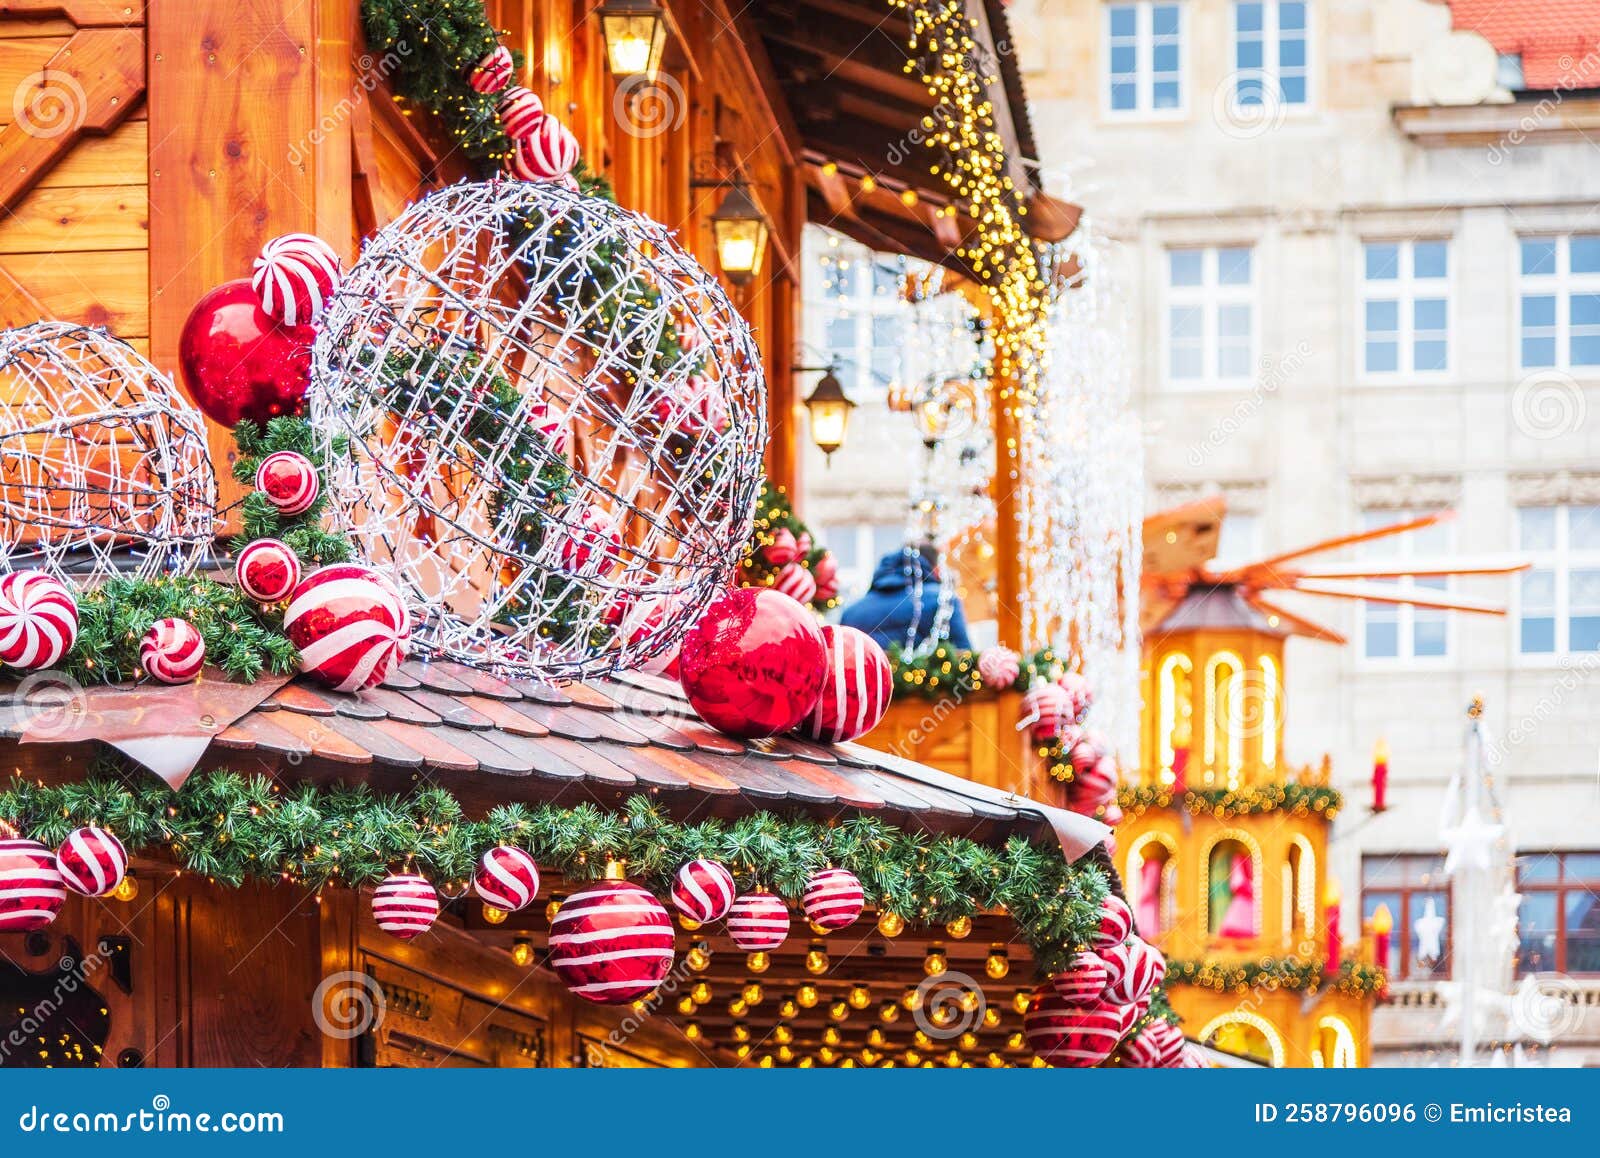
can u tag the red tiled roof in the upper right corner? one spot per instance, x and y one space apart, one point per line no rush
1559 41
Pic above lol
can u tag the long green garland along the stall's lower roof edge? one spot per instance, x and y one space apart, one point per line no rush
233 828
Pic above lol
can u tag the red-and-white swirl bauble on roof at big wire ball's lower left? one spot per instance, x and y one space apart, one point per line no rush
348 625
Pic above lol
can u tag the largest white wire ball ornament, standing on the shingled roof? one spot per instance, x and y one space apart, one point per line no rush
546 421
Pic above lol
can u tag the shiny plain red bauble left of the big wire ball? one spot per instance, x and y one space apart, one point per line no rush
239 362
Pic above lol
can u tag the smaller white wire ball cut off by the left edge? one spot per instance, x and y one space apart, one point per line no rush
105 466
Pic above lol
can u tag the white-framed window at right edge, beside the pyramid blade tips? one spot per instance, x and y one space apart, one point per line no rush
1559 599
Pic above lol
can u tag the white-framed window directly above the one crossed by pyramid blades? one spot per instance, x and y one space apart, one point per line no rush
1406 308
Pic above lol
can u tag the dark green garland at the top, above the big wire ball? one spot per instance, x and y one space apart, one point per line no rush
431 47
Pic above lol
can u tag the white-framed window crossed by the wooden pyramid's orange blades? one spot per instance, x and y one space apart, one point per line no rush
1399 633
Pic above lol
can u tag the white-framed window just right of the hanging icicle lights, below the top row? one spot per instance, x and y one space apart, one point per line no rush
1210 332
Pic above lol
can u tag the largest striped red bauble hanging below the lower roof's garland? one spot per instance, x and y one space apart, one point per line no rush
612 943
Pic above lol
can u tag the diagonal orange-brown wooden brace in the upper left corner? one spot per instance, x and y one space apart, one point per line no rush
86 89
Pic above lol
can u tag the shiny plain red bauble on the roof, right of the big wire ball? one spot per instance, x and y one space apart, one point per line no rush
754 663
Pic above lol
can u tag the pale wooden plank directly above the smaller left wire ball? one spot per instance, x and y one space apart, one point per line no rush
108 290
